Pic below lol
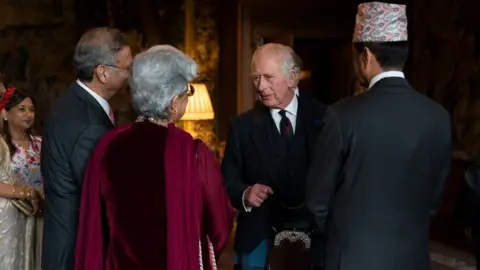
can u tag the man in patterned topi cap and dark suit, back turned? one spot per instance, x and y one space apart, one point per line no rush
382 157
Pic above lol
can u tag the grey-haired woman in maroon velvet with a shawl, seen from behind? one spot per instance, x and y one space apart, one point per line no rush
153 198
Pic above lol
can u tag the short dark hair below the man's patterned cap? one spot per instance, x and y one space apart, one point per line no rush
390 55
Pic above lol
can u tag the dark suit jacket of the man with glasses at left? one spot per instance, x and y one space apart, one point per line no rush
73 128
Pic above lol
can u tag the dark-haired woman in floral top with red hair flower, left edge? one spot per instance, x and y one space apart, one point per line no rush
20 246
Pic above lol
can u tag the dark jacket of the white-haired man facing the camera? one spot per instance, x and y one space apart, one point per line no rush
248 160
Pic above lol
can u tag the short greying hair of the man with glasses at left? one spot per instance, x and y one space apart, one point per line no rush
97 46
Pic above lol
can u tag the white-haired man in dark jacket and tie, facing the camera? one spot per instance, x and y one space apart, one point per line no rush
267 155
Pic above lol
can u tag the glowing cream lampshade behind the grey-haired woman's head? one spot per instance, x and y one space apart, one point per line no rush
199 105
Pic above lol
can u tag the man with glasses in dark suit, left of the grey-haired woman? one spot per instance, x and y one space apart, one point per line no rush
75 124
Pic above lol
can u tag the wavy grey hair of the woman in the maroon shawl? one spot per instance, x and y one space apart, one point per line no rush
158 75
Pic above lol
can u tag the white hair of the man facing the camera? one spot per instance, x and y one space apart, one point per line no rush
289 60
